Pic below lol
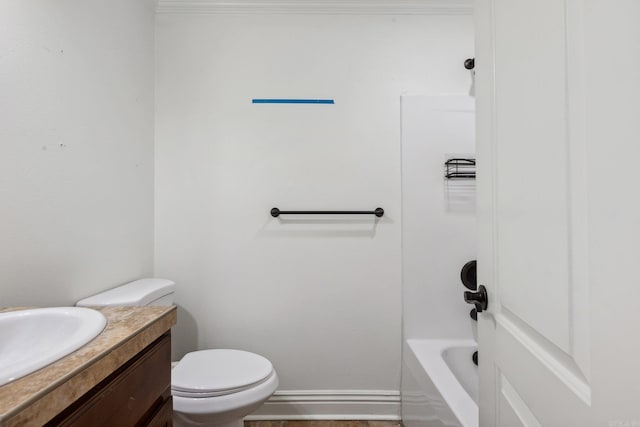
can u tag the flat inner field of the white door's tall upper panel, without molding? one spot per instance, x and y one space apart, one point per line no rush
532 205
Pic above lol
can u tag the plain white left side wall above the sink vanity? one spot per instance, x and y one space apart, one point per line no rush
76 130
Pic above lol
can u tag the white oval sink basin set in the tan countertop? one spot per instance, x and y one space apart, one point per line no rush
32 339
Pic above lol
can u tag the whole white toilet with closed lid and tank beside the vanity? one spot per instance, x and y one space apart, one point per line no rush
215 388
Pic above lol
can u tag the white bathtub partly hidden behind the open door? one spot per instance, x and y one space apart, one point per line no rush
439 384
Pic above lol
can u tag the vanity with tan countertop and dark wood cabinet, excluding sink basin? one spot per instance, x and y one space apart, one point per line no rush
120 378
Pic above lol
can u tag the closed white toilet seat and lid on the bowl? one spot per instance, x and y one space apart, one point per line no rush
218 372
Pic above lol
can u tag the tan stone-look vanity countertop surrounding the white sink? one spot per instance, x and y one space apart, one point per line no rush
39 396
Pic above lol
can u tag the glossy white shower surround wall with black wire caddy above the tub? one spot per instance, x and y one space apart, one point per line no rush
438 216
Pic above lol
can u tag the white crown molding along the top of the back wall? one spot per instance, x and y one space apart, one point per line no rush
319 7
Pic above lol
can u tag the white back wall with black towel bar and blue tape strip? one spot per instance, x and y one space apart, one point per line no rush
319 296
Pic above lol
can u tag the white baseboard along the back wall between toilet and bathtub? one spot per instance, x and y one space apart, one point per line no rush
330 405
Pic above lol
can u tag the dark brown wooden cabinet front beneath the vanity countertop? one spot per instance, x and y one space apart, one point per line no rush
136 394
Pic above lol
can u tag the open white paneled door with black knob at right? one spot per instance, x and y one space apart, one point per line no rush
558 147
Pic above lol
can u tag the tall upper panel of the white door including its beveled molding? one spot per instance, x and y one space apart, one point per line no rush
538 256
